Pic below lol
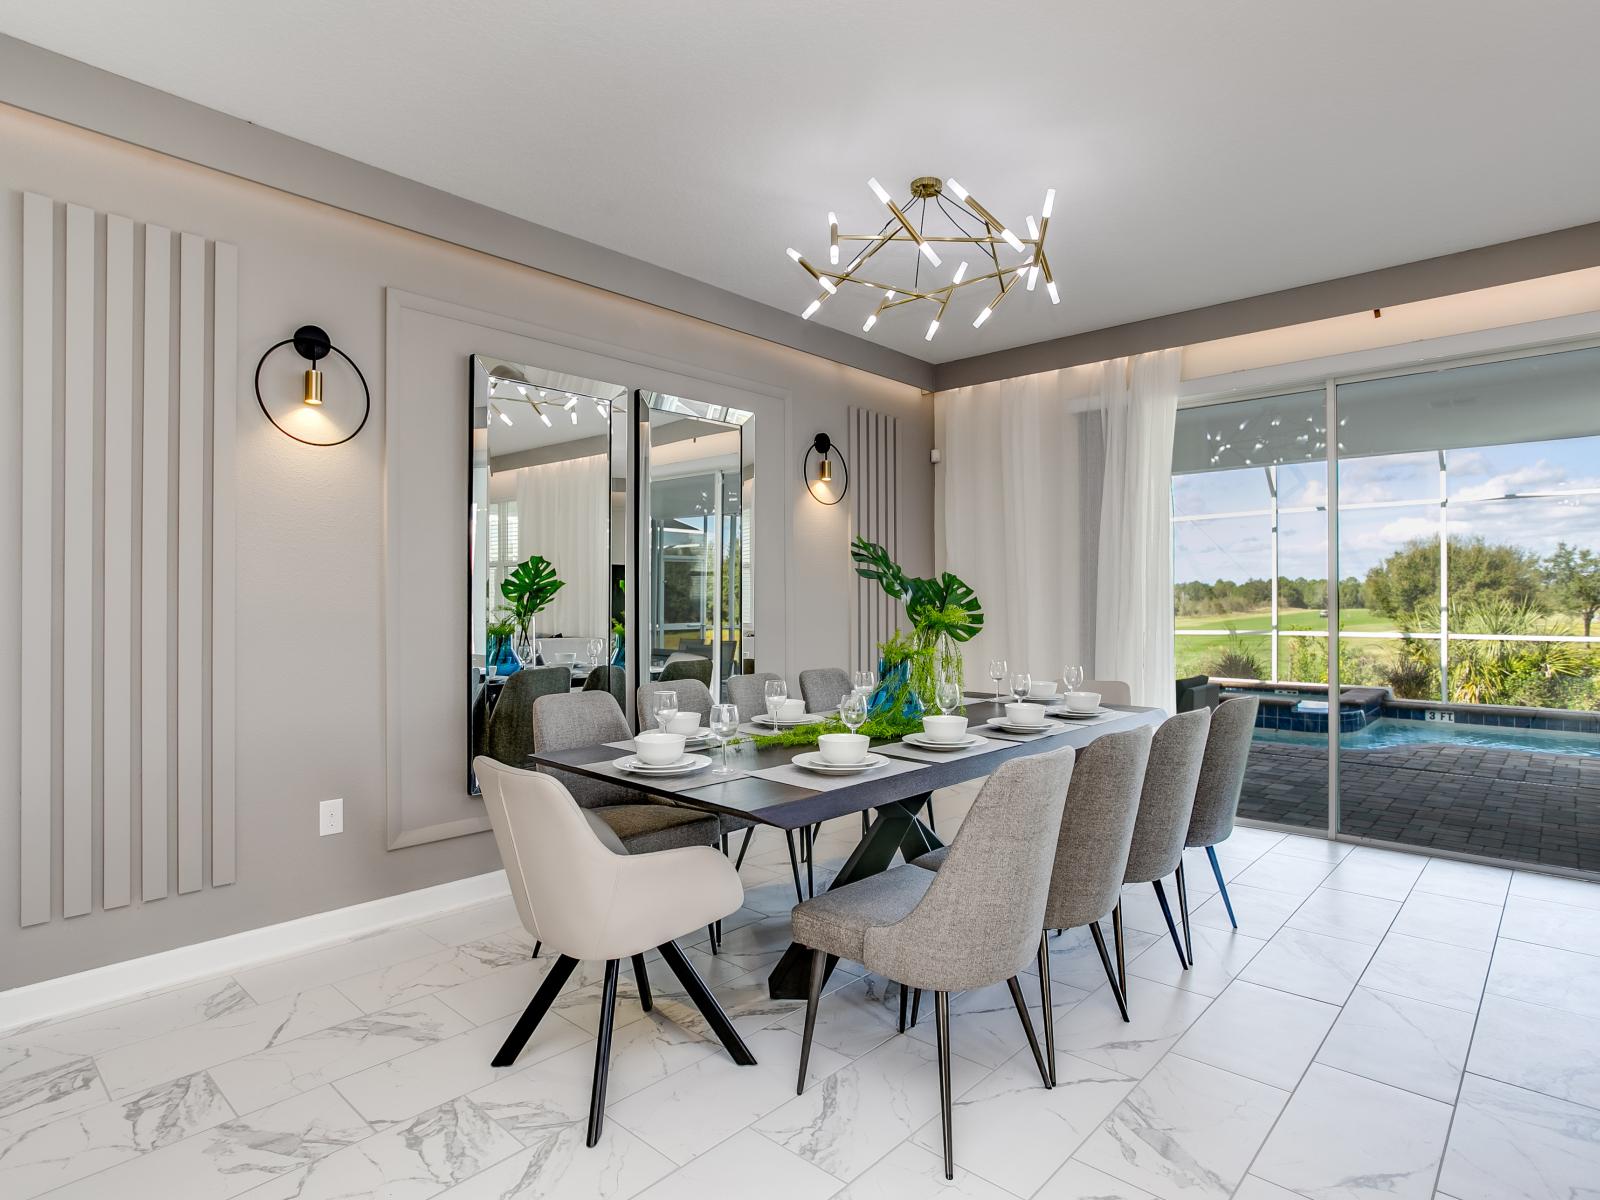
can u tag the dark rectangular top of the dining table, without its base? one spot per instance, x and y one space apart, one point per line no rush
786 807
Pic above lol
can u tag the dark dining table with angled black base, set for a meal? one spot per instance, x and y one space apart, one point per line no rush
769 790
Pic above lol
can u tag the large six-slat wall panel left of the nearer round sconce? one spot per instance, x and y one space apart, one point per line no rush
129 415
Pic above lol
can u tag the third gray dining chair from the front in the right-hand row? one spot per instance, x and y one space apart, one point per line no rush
1166 806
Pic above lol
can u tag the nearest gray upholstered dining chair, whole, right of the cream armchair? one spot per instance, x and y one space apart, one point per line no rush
972 924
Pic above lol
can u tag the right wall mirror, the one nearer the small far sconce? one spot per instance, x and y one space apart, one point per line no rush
700 564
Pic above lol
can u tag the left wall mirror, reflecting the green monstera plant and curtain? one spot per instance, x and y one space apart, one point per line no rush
546 529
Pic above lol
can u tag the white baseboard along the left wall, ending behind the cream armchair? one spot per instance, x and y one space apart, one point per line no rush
116 983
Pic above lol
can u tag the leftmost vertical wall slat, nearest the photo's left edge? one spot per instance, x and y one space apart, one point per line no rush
38 670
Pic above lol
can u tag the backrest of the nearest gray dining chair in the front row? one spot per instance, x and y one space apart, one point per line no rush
982 918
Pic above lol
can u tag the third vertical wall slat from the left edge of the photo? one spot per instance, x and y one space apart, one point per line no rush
118 657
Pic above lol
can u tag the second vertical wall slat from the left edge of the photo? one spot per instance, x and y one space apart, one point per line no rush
78 583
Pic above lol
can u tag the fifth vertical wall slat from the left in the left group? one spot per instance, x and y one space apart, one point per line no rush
191 559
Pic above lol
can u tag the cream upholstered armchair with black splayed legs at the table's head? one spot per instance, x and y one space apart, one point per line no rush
580 894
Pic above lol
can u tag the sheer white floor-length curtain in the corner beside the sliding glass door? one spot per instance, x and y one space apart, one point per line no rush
1055 508
